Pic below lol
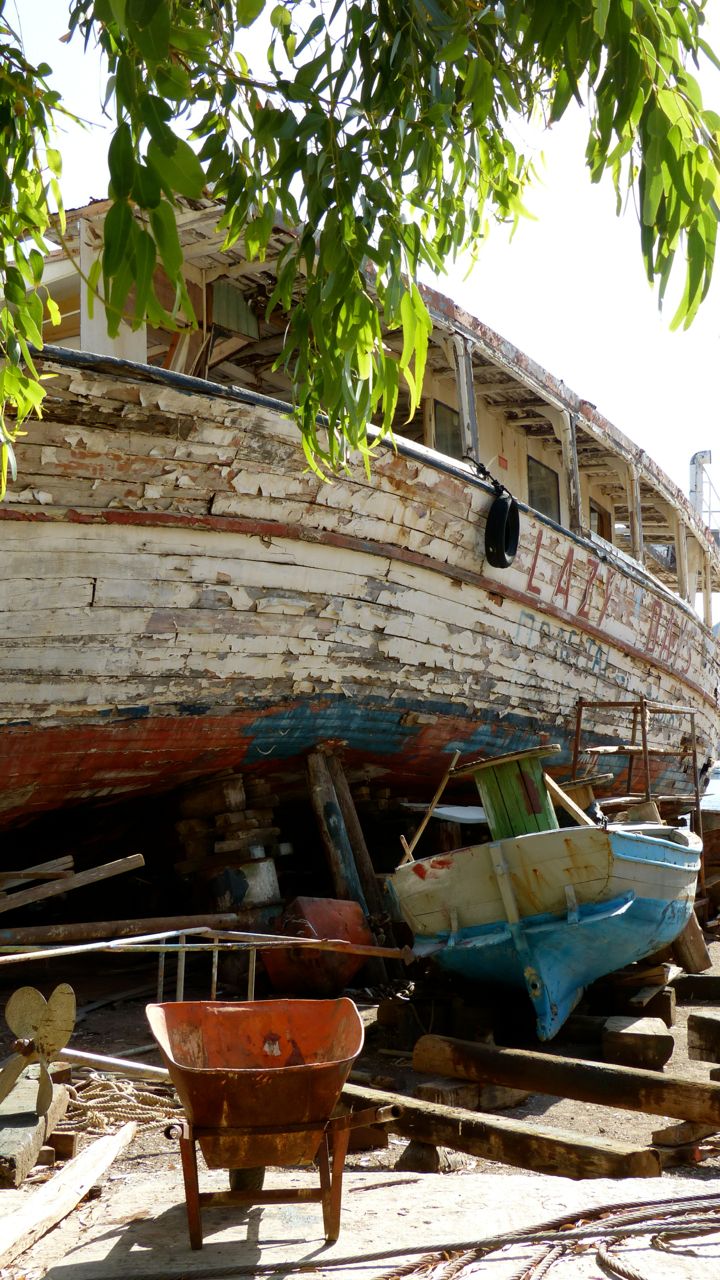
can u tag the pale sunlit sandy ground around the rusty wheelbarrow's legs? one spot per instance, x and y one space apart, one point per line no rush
136 1226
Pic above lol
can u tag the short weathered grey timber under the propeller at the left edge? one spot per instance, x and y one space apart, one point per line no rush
22 1131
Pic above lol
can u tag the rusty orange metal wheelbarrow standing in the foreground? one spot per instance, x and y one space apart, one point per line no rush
259 1084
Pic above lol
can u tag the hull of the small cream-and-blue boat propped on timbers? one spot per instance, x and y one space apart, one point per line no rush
587 902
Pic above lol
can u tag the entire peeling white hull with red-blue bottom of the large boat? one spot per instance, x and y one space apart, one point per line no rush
180 596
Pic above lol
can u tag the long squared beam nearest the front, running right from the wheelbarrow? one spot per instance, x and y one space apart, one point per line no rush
511 1142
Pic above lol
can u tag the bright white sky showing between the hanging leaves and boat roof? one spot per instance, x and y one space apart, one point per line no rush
569 290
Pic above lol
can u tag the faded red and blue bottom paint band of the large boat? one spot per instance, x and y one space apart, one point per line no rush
121 755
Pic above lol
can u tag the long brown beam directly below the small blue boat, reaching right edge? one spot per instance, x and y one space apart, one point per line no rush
626 1087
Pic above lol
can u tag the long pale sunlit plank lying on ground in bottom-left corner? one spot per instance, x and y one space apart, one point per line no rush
57 1199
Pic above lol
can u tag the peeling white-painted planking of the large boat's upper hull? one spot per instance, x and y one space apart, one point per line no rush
244 583
